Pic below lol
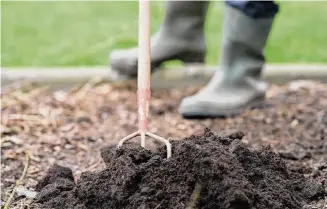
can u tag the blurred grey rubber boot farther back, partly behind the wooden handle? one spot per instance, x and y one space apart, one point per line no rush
180 37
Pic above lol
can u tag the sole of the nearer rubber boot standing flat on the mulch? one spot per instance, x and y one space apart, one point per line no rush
207 111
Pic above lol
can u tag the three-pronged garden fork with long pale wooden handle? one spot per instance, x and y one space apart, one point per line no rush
143 79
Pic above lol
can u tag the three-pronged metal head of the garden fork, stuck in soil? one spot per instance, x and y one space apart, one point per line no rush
143 134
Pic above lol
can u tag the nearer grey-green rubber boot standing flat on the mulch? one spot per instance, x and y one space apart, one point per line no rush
238 83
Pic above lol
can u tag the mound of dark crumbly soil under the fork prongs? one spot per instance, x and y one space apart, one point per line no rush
205 171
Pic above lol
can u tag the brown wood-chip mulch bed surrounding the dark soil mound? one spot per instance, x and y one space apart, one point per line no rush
69 128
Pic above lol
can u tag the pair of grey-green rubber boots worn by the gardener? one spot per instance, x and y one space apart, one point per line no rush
236 85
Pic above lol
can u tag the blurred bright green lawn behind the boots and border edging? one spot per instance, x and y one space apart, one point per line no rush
83 33
